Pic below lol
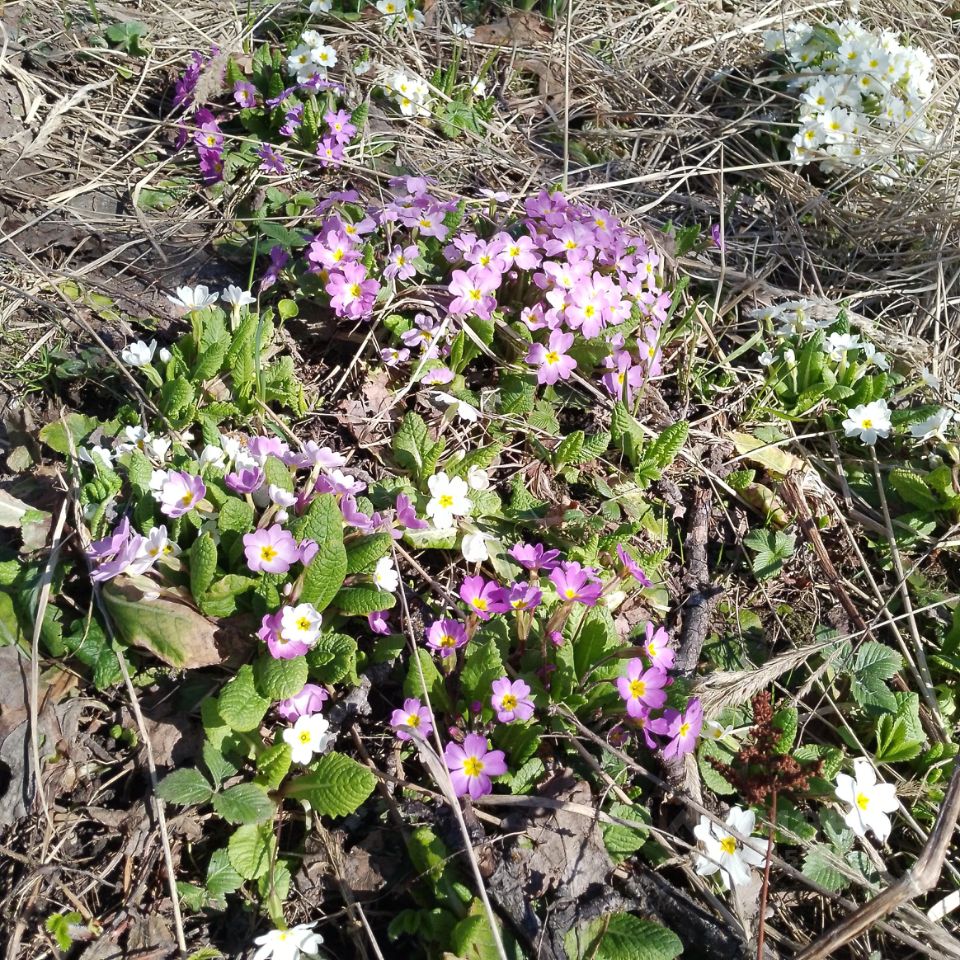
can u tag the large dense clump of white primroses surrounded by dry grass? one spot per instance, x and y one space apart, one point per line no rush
855 83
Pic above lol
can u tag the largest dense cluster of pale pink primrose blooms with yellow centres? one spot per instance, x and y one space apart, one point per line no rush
570 270
